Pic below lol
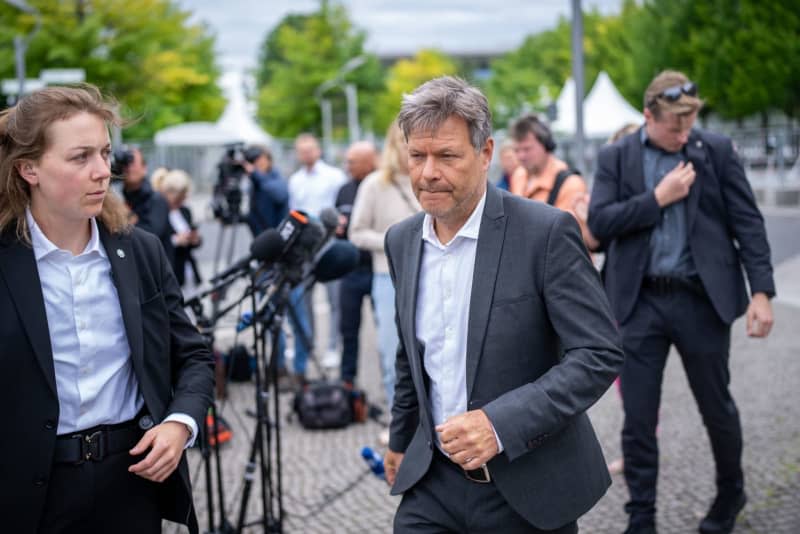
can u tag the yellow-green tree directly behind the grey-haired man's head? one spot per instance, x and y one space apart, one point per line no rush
404 76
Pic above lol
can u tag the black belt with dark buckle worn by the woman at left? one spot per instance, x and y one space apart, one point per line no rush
96 443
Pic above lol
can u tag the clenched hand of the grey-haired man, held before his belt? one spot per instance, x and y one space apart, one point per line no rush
469 439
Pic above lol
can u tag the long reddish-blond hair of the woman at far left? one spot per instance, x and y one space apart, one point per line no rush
24 135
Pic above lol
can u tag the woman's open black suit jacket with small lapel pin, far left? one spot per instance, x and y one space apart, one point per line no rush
172 364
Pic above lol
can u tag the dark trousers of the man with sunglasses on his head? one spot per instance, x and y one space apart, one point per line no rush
686 319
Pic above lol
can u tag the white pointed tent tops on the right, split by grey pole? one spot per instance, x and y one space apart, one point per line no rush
604 109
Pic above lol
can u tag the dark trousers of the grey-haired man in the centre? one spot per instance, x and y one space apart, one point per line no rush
446 501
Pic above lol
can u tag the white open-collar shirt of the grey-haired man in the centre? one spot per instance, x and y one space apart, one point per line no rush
442 314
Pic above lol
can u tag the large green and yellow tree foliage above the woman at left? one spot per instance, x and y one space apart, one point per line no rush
143 52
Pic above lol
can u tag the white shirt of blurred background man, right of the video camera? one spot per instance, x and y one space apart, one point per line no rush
314 190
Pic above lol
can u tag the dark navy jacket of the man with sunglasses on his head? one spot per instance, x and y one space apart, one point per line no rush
726 229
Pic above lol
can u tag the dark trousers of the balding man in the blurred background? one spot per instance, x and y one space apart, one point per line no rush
354 288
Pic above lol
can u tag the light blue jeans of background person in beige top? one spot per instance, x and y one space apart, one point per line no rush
383 299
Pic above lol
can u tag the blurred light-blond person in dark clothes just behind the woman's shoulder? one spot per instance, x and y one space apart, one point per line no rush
175 186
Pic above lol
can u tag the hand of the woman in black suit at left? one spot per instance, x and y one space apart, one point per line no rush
166 442
